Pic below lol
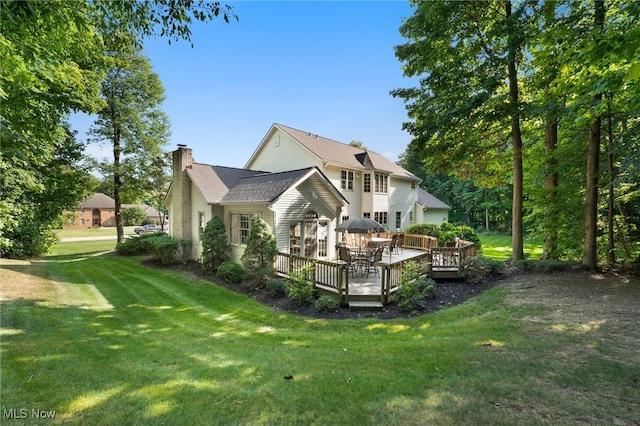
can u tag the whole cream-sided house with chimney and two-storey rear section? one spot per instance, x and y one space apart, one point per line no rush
303 186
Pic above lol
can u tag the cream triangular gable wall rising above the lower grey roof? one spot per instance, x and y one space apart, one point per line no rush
282 153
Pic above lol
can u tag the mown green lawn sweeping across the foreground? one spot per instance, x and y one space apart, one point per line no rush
100 339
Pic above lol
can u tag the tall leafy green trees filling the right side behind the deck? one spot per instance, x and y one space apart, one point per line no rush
572 67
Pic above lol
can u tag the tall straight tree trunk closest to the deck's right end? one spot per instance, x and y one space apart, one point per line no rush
516 141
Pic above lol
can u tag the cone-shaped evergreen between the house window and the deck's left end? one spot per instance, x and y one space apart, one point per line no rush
260 252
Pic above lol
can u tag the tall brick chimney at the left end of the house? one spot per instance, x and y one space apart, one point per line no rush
180 208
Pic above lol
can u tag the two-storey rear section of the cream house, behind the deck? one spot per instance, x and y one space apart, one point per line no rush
374 186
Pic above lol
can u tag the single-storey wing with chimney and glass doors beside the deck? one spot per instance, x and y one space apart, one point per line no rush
301 206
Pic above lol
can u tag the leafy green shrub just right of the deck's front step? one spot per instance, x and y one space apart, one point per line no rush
414 288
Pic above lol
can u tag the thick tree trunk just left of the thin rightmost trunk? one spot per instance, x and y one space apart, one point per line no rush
590 256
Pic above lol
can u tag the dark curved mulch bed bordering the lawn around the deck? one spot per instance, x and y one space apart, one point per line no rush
448 293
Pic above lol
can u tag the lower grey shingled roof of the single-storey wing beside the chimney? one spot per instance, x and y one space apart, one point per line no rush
228 185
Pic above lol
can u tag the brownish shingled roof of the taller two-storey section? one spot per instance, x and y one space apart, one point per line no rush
340 154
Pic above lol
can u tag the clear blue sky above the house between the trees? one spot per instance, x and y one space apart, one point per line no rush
325 67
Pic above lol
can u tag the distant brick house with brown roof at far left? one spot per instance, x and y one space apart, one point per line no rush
99 210
